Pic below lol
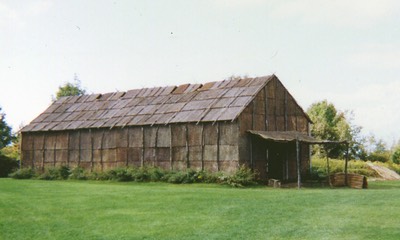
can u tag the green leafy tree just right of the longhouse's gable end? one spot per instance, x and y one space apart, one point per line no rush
334 125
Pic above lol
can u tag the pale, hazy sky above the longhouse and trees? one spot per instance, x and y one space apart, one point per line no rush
346 52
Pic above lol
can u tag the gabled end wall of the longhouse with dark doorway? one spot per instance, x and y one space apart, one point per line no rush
273 109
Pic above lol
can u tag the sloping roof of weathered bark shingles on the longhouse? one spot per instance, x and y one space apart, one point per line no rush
209 102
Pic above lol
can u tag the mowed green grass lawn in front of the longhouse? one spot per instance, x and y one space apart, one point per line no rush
34 209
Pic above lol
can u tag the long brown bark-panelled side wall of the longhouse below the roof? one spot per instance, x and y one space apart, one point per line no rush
205 146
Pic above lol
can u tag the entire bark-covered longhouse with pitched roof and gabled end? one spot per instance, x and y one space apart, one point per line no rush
198 126
